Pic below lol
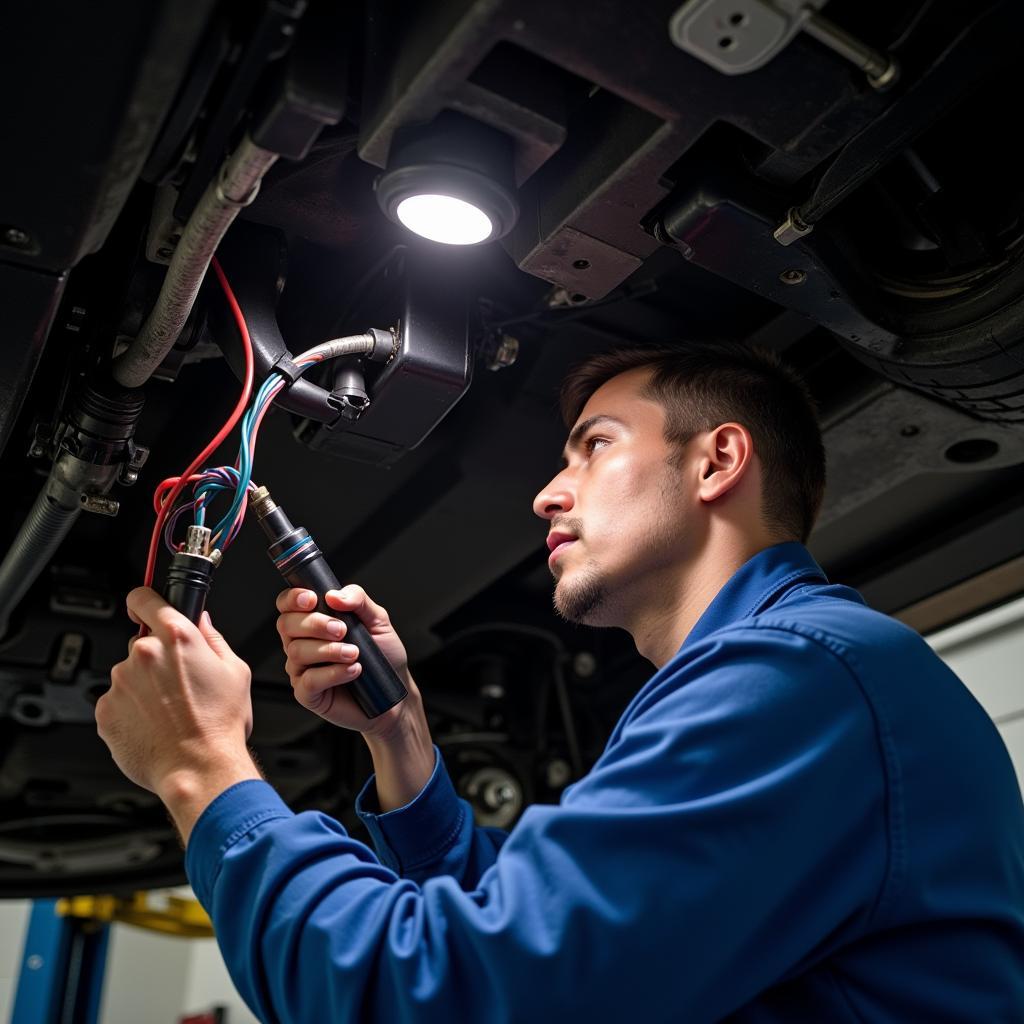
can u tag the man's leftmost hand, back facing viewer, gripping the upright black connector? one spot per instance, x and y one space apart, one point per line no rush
179 712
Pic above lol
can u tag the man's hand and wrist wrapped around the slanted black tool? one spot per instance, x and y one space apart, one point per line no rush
320 664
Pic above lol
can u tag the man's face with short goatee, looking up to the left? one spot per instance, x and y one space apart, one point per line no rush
619 510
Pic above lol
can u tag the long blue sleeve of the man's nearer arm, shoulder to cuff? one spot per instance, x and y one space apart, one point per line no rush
734 832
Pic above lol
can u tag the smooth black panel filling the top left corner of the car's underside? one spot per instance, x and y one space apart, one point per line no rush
64 189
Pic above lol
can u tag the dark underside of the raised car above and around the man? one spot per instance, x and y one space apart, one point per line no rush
851 202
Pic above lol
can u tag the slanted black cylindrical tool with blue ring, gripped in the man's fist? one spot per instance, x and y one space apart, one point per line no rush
298 560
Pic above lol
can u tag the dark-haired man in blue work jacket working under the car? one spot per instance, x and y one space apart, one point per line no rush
802 817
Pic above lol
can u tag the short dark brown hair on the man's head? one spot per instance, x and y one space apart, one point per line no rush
703 387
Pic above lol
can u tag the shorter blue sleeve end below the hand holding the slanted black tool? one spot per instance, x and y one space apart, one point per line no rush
433 835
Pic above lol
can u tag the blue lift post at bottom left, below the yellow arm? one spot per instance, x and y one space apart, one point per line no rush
62 975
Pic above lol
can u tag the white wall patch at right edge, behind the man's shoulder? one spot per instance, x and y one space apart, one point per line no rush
988 653
